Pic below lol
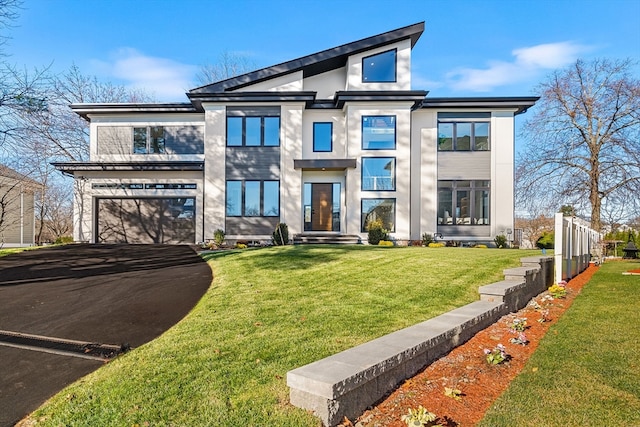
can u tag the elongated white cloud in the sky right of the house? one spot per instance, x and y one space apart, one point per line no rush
528 62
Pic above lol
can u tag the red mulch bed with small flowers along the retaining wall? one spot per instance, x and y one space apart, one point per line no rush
465 368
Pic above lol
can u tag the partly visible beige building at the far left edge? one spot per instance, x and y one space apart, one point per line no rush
17 213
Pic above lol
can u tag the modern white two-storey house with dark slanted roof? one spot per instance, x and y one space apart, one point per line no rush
325 143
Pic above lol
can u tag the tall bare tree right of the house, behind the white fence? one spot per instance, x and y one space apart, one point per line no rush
584 145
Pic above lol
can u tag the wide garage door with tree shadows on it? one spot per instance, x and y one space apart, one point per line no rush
146 220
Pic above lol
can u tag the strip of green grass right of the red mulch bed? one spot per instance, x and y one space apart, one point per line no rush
588 364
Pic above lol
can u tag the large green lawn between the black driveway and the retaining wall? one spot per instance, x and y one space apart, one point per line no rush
269 311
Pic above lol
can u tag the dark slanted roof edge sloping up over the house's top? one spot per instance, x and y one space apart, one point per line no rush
316 63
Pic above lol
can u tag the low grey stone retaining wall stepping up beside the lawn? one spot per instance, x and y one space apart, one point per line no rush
347 383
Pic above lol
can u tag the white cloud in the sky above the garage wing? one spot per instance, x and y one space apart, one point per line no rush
164 79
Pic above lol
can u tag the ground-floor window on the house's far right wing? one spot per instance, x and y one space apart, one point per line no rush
463 202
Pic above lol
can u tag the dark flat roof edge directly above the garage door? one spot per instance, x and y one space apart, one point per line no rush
72 167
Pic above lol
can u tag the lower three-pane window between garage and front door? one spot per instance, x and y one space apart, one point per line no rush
253 198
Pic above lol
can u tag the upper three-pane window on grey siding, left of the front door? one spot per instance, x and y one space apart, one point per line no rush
252 131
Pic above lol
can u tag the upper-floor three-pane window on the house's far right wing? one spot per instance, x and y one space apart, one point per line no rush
463 136
